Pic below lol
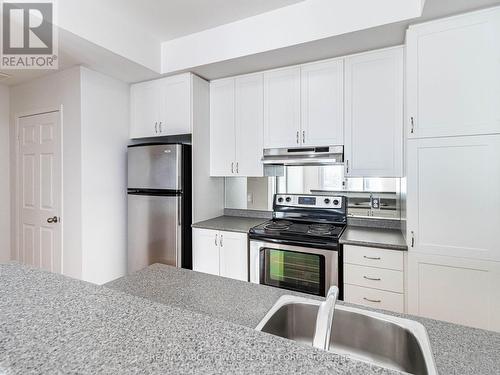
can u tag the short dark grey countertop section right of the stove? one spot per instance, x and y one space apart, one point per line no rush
374 237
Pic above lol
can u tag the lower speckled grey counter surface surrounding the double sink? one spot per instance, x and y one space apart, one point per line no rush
457 349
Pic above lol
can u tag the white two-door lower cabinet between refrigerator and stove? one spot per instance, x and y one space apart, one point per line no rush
220 253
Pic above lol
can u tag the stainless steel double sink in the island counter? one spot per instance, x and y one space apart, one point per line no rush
384 340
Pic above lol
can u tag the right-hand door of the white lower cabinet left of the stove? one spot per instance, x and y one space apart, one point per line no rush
234 255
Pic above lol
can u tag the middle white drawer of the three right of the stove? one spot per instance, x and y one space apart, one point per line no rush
371 277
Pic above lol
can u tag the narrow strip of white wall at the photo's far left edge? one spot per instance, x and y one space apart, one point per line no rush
4 176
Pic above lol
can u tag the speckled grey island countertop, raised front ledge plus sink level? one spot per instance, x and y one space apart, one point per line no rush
53 324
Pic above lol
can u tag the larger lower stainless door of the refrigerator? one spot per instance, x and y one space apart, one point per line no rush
154 231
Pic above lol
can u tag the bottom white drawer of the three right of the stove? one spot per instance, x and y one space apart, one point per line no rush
378 299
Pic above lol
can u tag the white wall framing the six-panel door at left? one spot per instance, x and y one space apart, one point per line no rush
49 93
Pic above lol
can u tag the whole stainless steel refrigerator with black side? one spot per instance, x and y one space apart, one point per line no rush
159 205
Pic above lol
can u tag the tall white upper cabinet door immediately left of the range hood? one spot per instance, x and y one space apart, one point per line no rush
249 129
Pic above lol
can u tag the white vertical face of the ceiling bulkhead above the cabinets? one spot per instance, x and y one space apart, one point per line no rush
296 24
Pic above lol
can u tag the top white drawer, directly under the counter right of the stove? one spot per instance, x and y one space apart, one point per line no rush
374 257
